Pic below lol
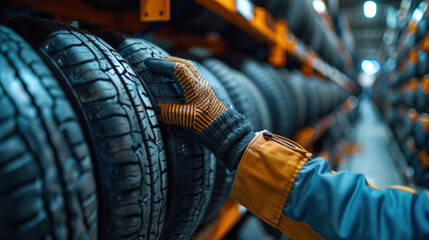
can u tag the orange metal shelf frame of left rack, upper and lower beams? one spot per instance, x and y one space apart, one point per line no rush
255 20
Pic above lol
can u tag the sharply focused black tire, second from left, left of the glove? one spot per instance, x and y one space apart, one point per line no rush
127 142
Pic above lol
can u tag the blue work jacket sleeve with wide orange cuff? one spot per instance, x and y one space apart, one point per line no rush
279 182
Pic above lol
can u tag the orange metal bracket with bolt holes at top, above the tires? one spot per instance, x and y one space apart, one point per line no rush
154 10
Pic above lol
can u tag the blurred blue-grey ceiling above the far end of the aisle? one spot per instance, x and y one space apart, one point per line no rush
368 33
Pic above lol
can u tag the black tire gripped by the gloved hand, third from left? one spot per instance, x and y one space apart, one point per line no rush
191 166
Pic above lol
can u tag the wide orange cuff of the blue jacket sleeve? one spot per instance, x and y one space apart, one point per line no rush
266 174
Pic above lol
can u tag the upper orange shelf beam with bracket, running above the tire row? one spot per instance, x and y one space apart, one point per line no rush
254 20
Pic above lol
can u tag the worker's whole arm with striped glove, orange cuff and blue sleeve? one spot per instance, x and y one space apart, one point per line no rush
276 179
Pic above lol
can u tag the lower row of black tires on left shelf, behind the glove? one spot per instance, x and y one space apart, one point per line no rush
82 154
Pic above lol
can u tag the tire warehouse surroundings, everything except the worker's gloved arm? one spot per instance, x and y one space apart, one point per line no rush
83 156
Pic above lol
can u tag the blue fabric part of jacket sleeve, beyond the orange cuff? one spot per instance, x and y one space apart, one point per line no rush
344 206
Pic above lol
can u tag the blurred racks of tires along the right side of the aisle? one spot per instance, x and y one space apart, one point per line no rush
402 93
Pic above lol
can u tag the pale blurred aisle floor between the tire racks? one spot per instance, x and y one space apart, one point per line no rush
375 159
